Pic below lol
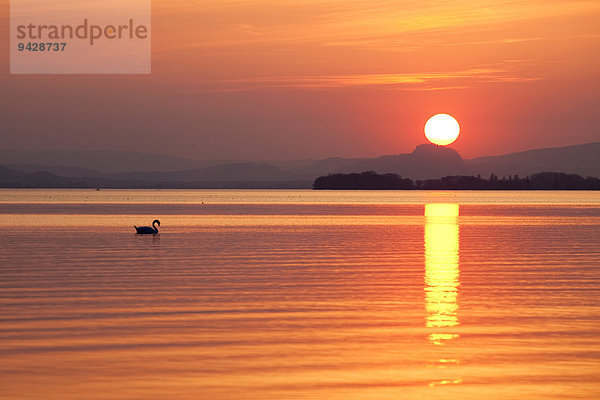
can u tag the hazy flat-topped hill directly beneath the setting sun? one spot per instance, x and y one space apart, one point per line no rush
426 161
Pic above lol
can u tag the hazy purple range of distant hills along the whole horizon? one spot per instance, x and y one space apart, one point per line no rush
62 168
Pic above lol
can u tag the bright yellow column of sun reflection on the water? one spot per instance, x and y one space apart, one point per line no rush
441 270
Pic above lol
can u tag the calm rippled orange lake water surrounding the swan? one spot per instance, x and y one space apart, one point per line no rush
299 295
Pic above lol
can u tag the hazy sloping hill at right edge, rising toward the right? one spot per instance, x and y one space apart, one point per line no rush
583 159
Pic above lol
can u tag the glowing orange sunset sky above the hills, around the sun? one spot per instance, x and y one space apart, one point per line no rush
305 79
